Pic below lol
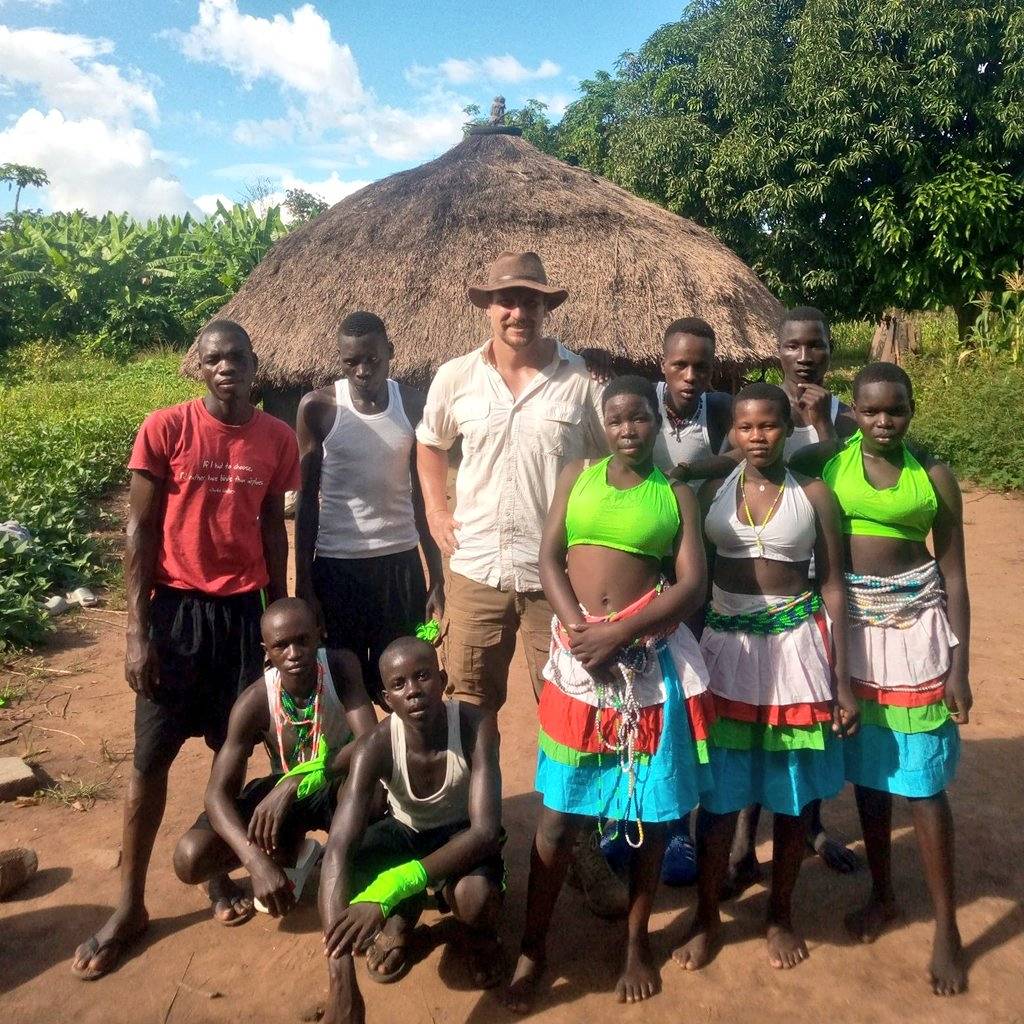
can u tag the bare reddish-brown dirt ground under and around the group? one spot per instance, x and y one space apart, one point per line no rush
189 969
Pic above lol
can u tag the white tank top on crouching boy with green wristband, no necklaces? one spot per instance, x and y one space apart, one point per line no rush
450 805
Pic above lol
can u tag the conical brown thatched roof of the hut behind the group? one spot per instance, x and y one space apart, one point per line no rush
406 247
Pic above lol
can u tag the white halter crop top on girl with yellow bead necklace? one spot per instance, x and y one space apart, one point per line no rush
789 536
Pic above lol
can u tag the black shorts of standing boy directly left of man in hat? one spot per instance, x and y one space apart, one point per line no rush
369 603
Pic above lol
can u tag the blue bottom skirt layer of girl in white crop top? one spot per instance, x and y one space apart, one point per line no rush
784 782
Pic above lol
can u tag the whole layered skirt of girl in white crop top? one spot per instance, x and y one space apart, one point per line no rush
772 742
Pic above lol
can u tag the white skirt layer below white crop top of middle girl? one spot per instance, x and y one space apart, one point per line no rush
771 670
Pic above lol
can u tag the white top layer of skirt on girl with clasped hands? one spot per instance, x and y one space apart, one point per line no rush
571 677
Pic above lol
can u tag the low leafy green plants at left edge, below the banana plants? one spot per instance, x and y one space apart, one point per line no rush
67 425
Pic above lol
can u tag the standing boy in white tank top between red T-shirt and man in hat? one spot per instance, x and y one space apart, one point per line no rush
361 521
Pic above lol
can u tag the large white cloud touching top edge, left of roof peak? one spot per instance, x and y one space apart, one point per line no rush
300 52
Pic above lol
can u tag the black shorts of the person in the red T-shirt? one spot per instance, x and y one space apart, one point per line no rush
208 652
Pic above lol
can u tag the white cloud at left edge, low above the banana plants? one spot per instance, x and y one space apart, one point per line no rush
96 166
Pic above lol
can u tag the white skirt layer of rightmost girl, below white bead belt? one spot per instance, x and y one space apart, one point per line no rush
893 659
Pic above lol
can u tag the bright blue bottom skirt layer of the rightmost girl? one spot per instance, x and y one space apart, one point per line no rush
918 764
